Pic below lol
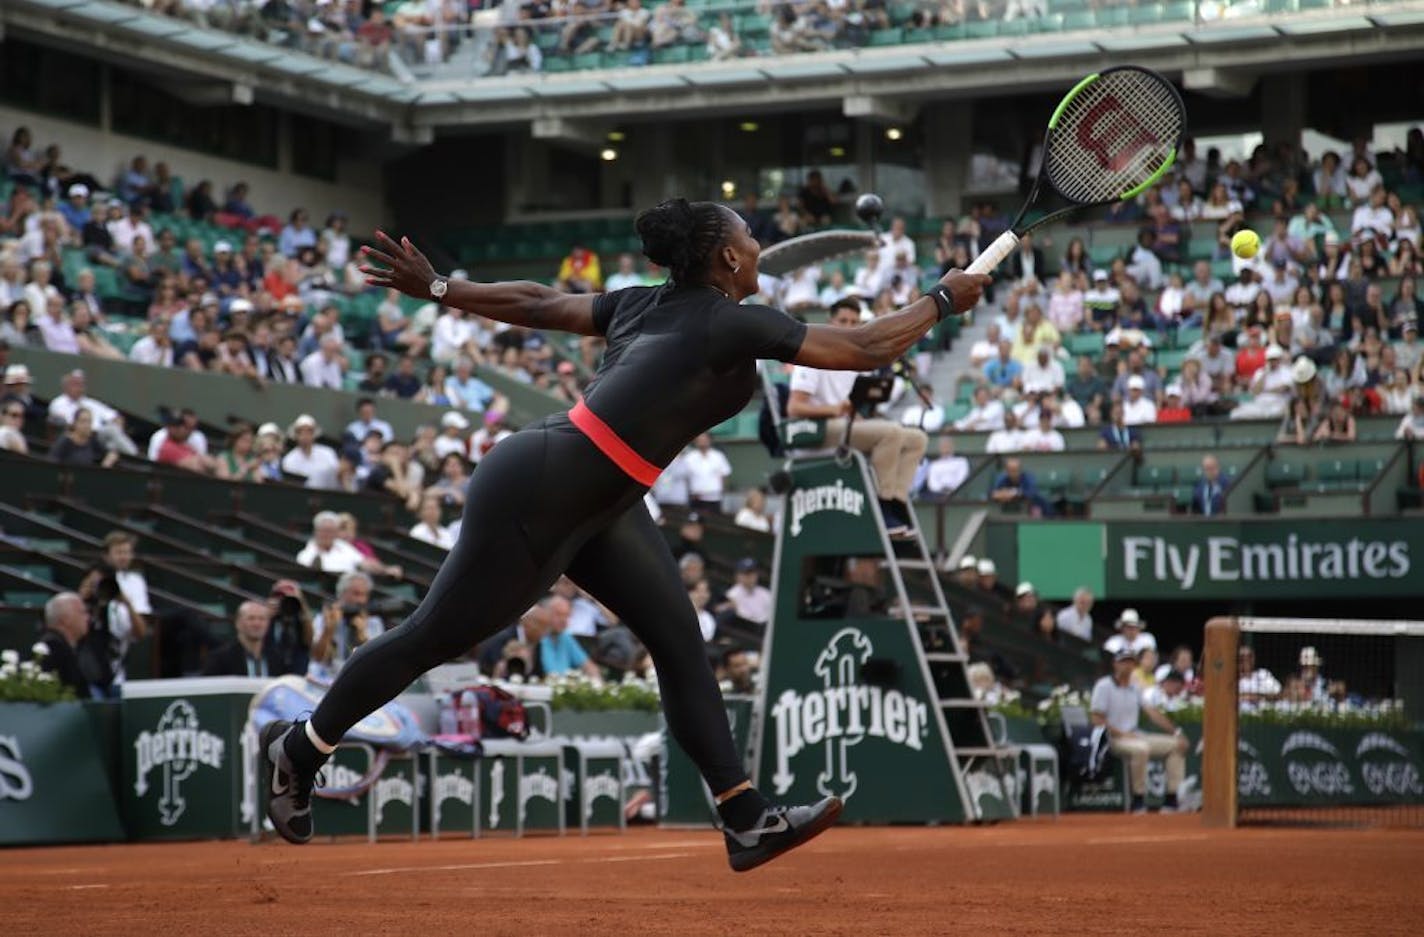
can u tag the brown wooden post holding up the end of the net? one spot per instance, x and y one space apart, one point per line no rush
1220 724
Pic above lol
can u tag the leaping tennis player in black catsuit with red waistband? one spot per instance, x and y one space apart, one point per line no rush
566 493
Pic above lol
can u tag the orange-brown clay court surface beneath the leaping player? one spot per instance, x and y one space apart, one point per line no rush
1103 875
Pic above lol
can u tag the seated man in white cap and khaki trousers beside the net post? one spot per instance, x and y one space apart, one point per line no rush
1119 707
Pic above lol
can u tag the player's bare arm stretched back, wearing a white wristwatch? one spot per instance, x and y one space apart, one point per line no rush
523 304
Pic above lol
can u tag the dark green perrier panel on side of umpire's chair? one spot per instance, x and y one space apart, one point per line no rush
827 730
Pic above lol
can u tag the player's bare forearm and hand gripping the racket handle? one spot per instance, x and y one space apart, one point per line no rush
884 341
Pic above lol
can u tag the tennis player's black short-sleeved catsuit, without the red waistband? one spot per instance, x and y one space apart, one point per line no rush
548 502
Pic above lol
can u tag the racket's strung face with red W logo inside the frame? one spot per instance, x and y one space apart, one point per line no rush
1114 136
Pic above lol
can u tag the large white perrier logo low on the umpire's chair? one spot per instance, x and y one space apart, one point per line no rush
841 716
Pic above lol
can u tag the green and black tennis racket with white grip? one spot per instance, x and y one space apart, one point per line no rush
1111 137
